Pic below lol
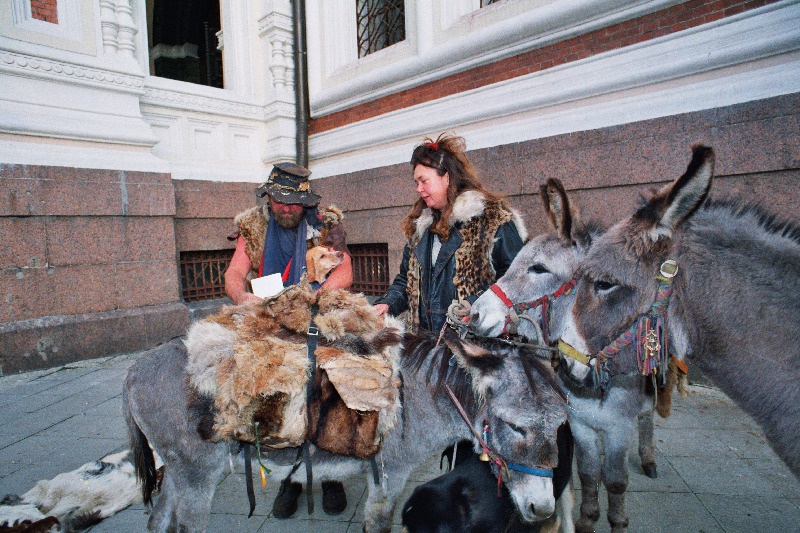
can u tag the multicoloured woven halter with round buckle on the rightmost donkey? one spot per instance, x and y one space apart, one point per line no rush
648 331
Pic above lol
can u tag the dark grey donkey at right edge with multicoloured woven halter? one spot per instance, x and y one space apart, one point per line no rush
731 305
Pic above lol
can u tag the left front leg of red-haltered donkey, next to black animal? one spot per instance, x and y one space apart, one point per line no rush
587 455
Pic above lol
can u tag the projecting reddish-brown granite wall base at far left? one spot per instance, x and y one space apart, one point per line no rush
90 264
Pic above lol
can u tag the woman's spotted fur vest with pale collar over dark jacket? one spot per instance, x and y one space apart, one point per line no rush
477 221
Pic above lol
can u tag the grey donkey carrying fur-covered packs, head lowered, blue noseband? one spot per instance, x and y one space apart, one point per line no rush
502 386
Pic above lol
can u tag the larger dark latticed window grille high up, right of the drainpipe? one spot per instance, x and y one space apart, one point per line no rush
381 23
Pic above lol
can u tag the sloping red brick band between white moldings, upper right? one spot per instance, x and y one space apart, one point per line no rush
676 18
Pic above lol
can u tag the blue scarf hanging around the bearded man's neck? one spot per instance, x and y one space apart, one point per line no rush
283 245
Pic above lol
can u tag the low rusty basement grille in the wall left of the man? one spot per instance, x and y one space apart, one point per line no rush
202 274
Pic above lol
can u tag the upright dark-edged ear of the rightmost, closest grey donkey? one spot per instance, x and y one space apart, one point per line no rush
675 203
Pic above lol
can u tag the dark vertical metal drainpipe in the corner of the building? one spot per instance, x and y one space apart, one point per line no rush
302 111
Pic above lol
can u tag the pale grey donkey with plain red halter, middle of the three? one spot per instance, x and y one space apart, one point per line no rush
604 425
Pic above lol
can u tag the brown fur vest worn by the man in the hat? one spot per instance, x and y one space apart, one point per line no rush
252 226
